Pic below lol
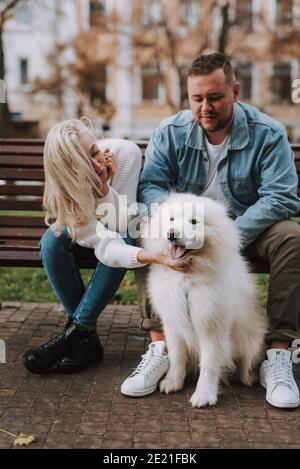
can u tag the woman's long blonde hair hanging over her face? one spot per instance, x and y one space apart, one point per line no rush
72 186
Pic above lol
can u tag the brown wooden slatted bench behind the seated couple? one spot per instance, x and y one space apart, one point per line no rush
21 189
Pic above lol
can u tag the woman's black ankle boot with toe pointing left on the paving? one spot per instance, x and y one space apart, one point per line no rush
47 357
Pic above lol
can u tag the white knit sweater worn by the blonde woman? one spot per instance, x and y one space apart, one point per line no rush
107 242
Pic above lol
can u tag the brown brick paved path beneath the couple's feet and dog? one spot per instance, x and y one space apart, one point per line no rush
87 410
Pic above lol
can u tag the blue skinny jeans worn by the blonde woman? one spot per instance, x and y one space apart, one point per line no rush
83 305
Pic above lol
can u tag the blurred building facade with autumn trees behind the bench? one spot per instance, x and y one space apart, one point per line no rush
142 49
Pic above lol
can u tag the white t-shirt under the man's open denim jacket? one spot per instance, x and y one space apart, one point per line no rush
213 188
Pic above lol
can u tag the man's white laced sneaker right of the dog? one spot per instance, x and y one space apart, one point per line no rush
276 375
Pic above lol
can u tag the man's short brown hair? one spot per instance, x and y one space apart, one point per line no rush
207 64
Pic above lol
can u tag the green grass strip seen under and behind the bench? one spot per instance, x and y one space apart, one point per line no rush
31 285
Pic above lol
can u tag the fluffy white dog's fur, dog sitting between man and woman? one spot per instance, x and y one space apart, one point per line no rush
211 315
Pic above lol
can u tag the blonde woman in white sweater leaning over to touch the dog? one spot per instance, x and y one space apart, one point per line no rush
84 180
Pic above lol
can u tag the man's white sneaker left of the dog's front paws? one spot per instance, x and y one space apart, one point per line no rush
145 378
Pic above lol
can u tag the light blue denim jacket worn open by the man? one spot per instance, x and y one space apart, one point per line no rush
256 171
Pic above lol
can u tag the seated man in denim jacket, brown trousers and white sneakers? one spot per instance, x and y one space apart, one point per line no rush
231 152
